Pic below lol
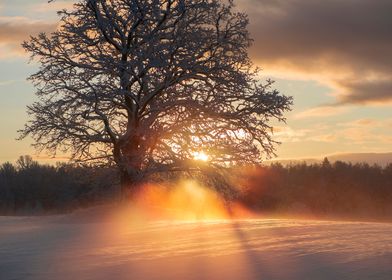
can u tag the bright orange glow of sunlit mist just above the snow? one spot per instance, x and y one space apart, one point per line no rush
186 200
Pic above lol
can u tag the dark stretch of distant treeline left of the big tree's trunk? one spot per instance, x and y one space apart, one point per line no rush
32 188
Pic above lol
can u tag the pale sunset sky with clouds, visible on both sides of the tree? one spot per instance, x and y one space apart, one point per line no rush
334 57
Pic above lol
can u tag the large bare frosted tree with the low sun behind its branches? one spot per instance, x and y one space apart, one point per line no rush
146 84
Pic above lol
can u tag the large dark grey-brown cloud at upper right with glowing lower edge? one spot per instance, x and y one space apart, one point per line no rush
345 44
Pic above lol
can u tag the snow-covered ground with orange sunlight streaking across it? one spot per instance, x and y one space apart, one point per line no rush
79 246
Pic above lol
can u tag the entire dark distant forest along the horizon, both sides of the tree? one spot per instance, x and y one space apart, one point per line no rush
324 190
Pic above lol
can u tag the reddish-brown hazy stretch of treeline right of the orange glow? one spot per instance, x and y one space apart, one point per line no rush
325 190
